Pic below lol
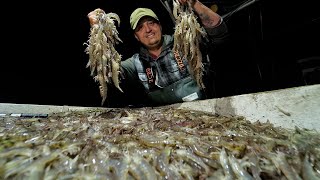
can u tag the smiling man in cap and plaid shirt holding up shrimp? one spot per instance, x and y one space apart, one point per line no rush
156 66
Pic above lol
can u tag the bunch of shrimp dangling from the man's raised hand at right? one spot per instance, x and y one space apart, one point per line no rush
187 37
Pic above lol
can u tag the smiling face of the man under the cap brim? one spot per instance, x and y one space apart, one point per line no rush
148 32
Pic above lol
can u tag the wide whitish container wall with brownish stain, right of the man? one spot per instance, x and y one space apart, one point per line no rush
299 106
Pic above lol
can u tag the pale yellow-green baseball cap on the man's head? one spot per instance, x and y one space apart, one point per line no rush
138 14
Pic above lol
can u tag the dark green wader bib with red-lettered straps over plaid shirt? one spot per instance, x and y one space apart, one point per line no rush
184 89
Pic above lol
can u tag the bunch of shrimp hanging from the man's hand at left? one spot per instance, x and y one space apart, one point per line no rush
104 60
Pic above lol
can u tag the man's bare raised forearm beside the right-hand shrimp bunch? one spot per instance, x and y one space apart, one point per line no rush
208 18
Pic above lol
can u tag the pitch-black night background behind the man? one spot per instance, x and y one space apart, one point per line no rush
272 45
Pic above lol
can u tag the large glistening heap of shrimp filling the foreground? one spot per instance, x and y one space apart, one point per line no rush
154 143
